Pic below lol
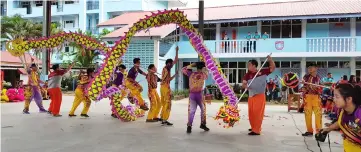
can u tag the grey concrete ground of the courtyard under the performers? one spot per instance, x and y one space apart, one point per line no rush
39 132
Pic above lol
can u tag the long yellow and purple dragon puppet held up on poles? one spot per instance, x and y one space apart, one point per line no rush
96 89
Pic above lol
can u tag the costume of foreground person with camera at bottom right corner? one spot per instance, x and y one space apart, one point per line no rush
350 125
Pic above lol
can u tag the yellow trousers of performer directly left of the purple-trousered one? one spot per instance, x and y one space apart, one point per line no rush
165 93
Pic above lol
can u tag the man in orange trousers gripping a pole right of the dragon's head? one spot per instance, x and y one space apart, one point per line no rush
257 97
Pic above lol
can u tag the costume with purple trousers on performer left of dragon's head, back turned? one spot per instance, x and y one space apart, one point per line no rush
196 83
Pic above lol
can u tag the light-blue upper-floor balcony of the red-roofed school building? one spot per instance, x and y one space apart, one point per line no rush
295 47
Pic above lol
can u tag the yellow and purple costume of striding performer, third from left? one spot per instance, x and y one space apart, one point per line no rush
80 97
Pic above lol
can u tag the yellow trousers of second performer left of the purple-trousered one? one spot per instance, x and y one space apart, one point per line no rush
155 104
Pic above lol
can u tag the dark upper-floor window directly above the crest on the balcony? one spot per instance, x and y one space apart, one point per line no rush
282 29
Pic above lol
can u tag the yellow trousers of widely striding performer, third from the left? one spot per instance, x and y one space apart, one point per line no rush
79 97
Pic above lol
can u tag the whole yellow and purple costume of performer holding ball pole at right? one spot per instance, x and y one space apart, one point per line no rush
312 102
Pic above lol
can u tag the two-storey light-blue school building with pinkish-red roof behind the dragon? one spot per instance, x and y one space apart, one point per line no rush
299 32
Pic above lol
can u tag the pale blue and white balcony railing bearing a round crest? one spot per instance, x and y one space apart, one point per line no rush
290 45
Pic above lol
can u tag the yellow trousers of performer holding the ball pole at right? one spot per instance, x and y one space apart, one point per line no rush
313 105
